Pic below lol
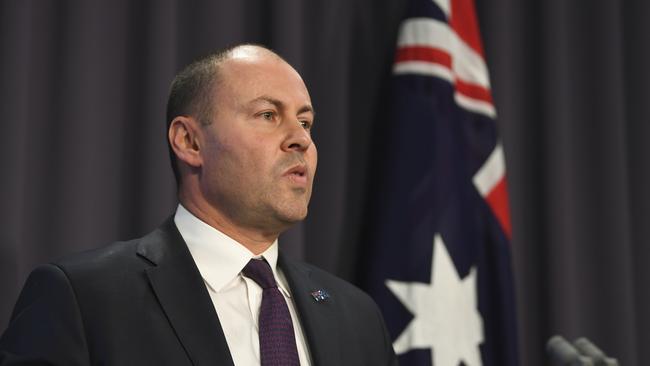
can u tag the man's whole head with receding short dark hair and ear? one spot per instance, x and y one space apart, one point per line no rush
239 130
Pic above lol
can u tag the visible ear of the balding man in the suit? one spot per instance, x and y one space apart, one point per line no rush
183 138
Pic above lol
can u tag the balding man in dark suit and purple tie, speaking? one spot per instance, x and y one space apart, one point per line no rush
209 286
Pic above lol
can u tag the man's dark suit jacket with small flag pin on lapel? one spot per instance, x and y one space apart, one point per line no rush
143 302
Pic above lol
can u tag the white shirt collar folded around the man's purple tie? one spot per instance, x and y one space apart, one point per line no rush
218 257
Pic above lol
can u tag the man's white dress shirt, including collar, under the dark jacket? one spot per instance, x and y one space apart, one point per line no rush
237 299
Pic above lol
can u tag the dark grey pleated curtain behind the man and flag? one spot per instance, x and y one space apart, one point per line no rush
83 86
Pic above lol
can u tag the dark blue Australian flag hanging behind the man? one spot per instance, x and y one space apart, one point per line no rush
439 264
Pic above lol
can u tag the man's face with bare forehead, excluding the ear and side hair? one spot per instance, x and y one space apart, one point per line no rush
258 156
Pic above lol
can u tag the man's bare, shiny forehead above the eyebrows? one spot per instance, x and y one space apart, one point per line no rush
250 77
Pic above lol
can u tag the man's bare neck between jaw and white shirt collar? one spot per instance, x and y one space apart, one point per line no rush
255 240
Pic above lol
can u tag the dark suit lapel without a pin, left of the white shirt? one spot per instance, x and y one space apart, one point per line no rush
181 292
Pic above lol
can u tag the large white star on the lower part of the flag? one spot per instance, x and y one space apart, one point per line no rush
445 315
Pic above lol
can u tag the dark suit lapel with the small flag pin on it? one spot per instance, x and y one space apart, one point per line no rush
318 319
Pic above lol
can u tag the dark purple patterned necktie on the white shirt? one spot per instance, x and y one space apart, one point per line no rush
277 339
